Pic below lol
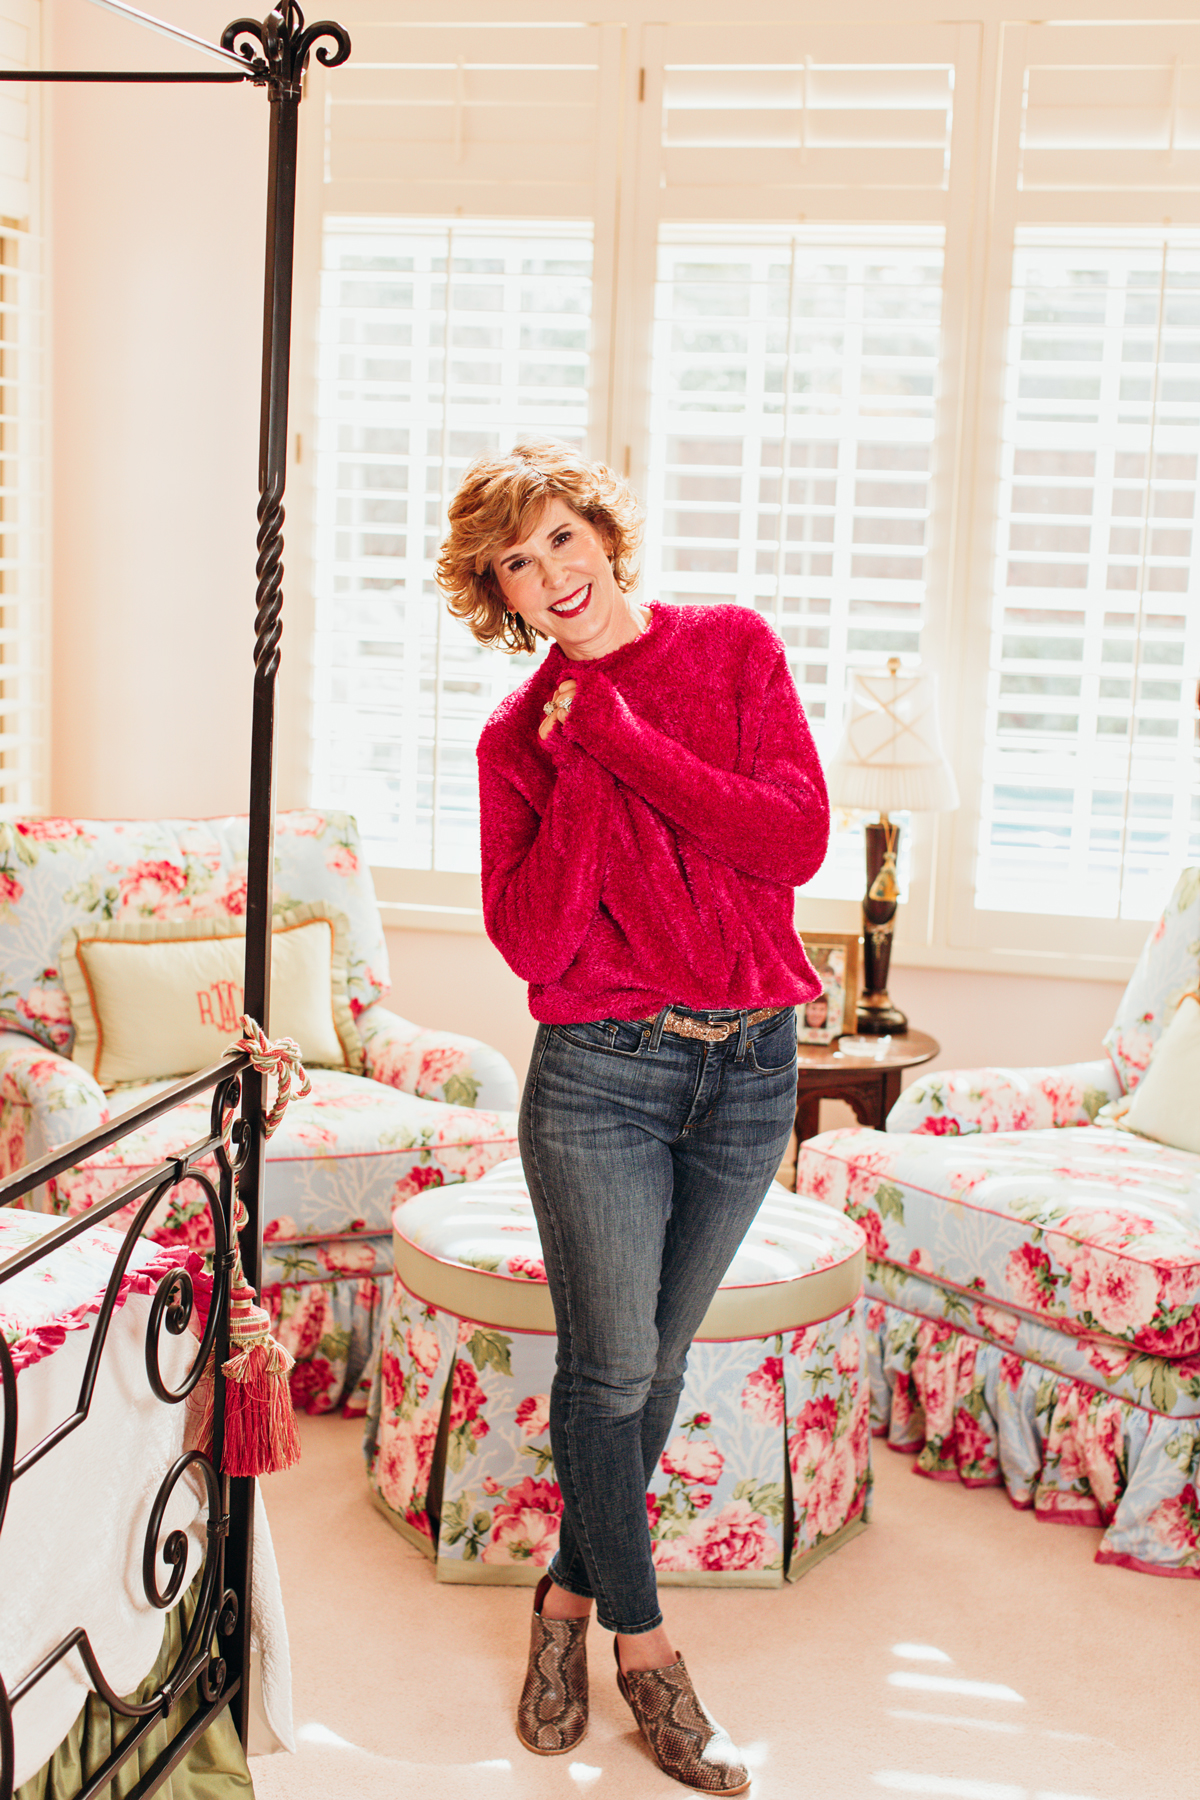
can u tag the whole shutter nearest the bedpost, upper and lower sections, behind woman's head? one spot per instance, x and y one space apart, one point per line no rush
483 148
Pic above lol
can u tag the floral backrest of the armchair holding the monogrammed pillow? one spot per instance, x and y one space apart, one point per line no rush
62 874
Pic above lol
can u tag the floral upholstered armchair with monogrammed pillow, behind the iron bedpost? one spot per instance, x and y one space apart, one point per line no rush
429 1108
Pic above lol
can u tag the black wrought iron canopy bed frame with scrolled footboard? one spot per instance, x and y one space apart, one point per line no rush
215 1659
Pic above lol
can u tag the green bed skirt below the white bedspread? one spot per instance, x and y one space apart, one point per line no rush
215 1768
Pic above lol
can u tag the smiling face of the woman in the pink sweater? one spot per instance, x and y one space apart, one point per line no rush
560 582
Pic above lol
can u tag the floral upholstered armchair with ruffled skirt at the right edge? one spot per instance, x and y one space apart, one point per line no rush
1035 1291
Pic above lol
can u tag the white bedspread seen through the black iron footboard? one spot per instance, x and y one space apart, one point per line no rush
71 1551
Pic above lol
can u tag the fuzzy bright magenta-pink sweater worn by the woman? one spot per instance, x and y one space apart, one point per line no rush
645 854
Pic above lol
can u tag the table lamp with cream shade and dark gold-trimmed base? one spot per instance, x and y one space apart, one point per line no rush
890 760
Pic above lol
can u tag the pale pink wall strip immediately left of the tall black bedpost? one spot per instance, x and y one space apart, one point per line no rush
157 201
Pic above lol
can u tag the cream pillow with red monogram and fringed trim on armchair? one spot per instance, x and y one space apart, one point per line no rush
159 998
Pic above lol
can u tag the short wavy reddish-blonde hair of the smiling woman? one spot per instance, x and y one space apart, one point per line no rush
499 503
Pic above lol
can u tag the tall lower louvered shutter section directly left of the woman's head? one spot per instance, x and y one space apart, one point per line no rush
404 690
